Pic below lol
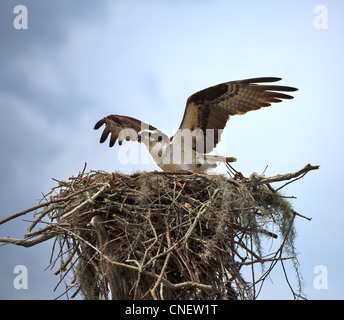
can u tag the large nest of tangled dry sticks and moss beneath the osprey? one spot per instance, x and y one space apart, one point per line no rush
159 235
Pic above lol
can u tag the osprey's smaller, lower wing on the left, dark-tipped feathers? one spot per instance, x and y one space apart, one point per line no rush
121 128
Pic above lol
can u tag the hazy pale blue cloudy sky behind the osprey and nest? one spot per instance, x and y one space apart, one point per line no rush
81 60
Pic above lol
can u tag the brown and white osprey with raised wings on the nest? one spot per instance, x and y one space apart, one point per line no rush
205 116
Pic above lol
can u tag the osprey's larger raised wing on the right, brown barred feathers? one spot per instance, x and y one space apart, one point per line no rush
211 108
